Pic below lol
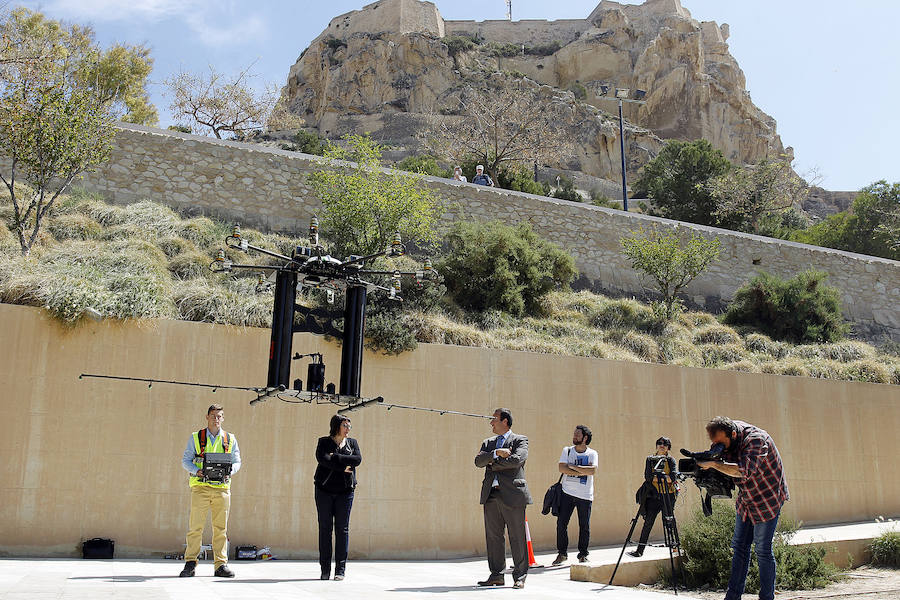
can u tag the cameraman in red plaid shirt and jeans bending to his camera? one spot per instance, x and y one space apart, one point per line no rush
751 457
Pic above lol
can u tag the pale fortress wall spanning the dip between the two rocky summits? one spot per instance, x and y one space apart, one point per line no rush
529 32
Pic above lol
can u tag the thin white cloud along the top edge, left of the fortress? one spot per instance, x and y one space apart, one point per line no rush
215 23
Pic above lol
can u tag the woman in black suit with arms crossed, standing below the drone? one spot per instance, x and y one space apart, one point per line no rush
335 479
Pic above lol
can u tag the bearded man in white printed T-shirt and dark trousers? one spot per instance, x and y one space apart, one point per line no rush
577 463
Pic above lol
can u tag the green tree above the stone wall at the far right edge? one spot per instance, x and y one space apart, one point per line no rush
871 226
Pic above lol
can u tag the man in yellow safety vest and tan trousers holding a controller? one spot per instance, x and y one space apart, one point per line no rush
209 496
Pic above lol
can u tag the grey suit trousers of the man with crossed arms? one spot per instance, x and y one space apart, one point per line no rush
499 516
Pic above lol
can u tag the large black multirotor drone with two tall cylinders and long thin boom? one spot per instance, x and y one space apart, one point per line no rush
311 268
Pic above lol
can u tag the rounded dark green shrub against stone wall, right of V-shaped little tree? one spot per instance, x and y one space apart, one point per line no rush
801 309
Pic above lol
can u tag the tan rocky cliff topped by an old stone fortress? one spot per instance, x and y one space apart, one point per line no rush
385 67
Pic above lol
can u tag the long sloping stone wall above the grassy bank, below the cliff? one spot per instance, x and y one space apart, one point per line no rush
267 188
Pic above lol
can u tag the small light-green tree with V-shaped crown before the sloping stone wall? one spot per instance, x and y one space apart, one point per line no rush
669 262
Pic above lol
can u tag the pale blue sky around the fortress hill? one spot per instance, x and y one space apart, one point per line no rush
825 70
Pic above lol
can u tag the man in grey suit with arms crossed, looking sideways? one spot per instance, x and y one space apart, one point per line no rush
504 494
